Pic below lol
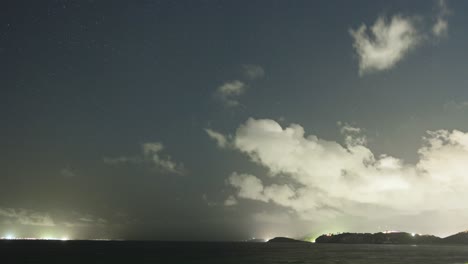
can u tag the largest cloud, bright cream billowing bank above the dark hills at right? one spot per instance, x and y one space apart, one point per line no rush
316 177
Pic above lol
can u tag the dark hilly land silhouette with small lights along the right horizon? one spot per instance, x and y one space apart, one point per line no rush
388 237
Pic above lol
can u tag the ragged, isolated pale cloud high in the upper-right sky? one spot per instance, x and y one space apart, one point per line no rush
385 43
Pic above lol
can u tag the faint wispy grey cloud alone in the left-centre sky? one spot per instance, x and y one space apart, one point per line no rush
151 155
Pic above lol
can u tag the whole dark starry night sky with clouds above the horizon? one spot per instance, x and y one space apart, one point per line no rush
227 120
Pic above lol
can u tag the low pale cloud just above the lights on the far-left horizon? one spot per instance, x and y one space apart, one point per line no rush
26 217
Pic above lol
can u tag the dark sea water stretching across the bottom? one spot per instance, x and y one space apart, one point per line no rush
243 253
